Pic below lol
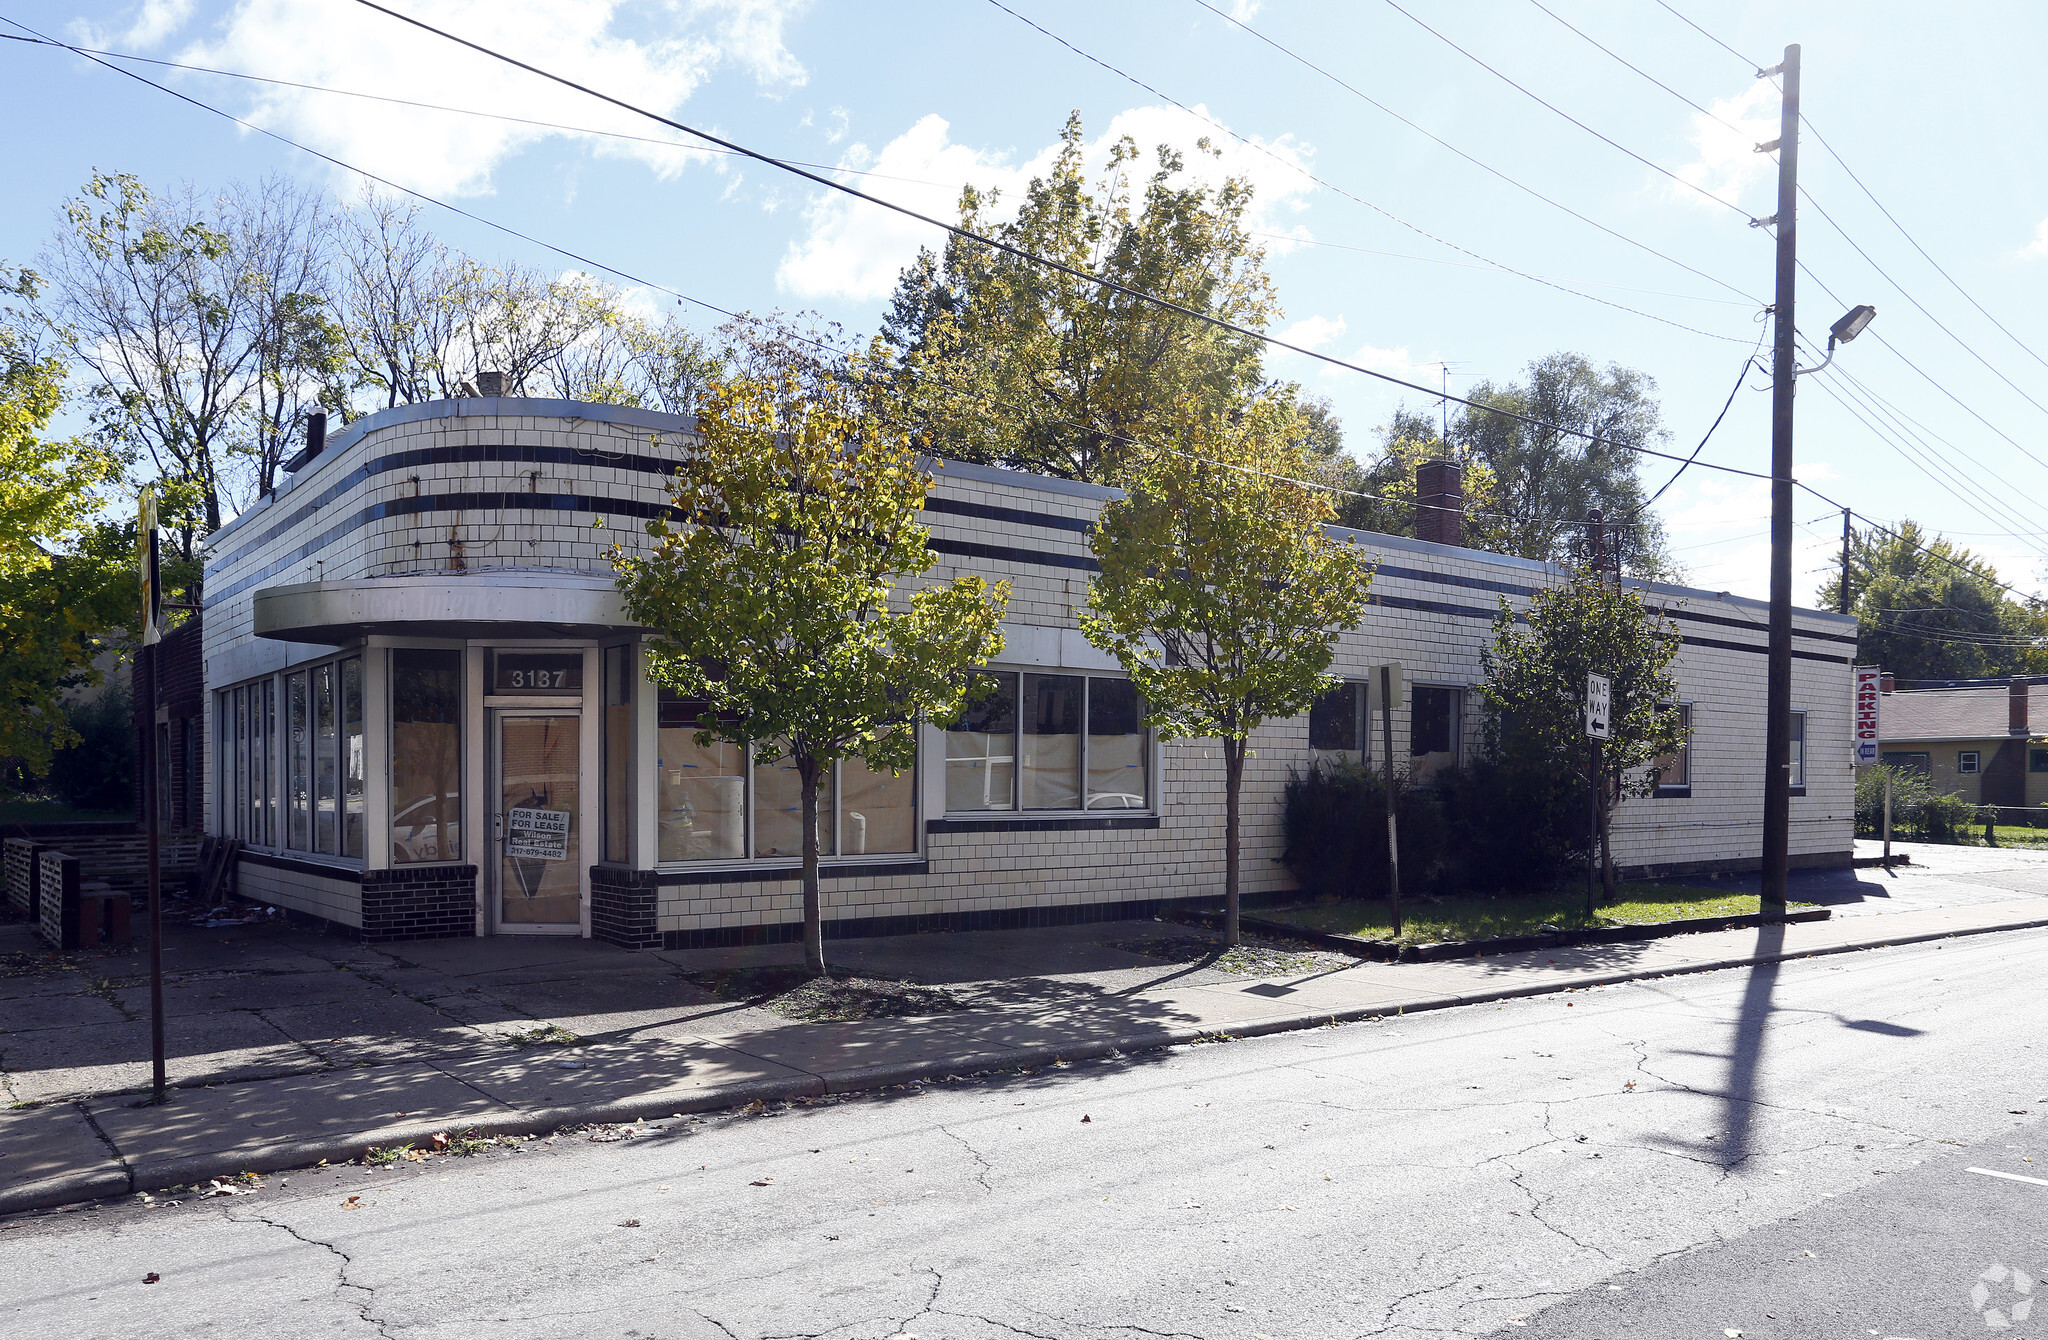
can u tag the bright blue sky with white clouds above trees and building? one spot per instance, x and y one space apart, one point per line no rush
1390 261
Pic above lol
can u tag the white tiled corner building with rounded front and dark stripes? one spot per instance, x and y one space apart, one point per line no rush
435 718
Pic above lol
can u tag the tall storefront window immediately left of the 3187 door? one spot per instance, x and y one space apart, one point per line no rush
427 755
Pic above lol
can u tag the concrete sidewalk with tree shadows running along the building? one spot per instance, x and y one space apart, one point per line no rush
294 1048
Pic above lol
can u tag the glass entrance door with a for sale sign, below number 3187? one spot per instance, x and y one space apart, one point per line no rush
540 868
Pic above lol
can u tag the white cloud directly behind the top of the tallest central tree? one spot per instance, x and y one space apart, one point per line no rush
855 249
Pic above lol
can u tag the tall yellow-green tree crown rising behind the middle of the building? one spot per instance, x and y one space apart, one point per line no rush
1013 364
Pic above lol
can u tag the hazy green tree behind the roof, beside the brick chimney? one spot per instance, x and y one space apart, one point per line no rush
1543 483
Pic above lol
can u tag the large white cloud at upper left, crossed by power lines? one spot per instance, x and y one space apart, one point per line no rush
654 58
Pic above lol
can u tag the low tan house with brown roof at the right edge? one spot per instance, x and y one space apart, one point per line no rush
1975 739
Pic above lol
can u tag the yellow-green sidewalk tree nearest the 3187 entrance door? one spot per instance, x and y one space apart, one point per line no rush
777 597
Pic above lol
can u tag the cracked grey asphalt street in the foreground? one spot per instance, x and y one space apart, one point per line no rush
1775 1153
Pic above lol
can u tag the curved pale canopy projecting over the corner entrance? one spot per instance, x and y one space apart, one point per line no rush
443 605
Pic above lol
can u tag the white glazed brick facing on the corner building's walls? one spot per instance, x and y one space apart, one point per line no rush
1005 870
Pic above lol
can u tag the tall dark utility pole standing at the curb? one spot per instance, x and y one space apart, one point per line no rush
1779 679
